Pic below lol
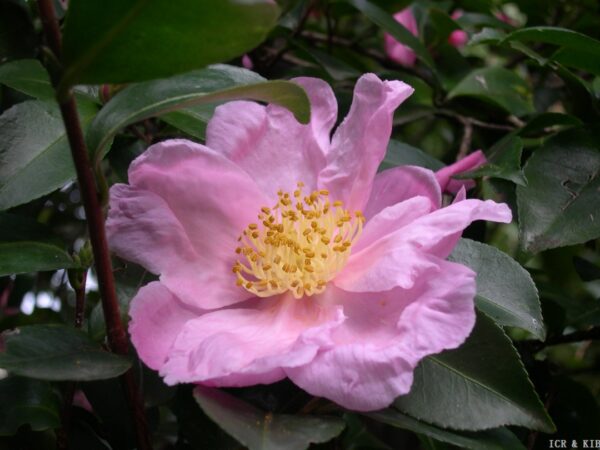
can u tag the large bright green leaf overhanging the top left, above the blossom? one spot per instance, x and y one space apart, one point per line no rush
115 41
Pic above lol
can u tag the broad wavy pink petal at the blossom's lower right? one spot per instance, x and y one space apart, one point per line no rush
386 334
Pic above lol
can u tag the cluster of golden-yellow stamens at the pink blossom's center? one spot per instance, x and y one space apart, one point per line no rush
298 245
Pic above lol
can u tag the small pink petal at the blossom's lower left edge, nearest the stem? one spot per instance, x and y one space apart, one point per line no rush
157 317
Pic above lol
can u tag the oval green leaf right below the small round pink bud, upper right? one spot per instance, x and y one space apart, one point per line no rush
498 86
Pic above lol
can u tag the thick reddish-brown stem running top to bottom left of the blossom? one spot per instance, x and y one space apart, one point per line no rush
114 327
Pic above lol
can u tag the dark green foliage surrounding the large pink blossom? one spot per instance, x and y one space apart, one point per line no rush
525 90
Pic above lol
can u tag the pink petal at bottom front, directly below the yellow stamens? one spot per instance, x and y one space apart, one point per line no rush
240 347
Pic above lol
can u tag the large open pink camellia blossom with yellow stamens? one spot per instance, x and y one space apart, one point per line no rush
282 253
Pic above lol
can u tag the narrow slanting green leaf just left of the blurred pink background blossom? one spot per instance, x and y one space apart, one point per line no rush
387 22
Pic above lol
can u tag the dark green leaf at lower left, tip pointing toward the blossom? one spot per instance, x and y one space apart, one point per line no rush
58 352
